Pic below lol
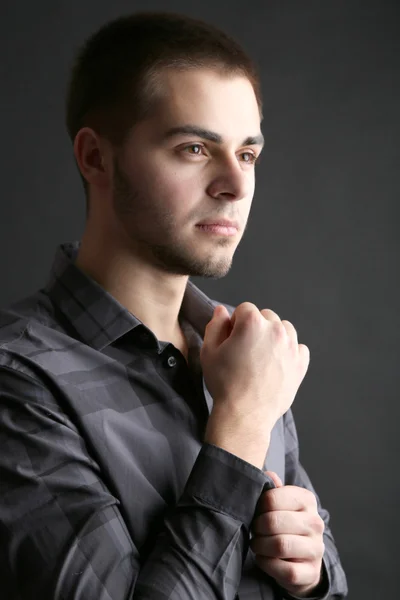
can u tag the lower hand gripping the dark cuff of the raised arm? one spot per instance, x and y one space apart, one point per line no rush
288 537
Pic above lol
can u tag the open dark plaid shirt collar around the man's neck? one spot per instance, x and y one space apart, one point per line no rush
98 318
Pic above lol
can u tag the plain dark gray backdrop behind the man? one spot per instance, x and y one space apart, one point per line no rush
322 244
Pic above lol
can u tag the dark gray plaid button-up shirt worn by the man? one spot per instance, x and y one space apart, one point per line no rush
107 491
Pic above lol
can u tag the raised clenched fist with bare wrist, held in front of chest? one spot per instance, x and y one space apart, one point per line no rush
253 366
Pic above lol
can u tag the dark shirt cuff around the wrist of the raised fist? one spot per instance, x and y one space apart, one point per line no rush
227 483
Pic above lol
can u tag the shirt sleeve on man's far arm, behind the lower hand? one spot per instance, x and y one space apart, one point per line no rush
333 581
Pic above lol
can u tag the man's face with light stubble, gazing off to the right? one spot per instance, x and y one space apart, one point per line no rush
164 185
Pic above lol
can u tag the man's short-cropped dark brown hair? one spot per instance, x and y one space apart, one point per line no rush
113 80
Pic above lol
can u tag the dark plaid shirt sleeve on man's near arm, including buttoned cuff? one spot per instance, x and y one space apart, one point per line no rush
62 533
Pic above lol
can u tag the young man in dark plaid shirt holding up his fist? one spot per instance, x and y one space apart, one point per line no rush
138 416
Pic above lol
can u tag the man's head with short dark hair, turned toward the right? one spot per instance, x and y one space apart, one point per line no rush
136 84
